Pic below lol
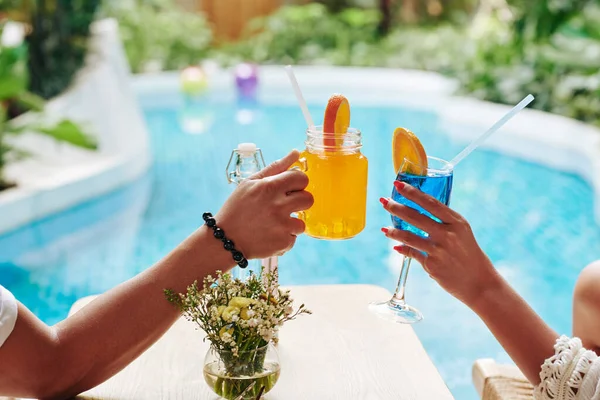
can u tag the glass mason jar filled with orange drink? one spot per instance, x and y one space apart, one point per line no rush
337 173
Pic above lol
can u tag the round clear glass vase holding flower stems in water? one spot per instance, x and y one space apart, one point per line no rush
246 374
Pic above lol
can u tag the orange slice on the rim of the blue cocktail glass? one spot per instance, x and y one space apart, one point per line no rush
407 146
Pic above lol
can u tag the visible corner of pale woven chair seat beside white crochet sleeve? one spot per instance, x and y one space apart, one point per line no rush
495 381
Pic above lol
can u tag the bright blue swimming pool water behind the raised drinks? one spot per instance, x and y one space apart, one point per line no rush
535 223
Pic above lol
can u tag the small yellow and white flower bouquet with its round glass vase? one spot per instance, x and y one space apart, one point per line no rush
241 320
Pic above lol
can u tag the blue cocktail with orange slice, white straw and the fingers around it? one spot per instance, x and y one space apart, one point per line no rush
432 176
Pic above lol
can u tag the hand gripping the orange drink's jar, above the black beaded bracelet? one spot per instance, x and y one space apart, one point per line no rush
257 216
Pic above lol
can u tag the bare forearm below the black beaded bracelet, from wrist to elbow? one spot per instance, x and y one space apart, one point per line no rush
113 330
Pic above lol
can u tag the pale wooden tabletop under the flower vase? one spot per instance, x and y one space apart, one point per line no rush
339 352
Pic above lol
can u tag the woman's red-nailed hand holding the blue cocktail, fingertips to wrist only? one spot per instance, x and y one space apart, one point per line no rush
453 258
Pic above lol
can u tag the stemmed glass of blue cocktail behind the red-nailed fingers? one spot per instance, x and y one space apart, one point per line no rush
436 182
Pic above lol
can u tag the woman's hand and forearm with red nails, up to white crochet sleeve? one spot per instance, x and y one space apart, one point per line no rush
454 259
